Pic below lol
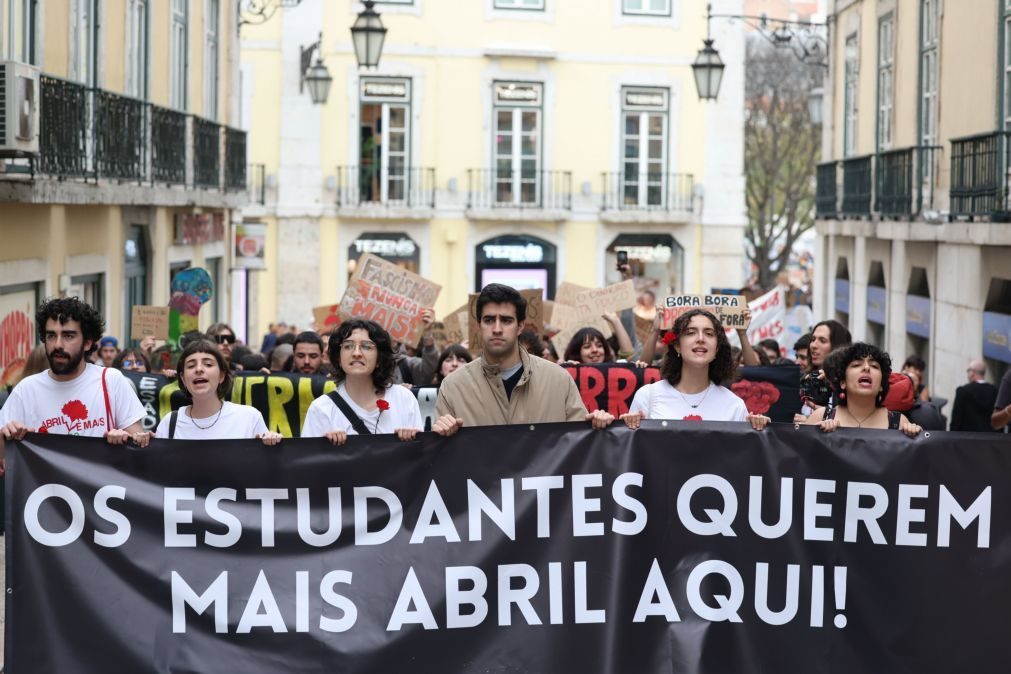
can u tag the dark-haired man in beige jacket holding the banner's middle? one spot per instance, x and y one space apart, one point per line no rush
507 386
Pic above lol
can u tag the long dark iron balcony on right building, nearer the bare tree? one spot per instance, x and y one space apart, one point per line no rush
893 184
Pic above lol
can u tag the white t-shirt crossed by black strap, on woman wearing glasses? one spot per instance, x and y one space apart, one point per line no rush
324 416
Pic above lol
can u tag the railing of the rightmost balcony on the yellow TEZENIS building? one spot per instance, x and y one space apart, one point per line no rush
649 191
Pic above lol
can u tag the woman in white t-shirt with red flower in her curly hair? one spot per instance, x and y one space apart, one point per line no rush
698 361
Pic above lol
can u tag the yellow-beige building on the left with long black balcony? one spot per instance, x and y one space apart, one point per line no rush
138 166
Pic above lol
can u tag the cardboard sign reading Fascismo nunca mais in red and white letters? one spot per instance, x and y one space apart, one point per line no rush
390 296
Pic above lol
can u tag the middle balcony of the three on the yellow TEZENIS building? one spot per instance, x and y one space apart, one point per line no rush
508 195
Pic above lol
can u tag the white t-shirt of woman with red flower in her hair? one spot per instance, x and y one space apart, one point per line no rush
660 401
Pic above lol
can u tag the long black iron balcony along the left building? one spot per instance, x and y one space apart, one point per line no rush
102 147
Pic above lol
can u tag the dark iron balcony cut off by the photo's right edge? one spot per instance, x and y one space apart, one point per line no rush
980 176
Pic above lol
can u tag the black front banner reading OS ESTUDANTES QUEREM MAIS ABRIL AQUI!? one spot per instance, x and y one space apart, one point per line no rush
680 547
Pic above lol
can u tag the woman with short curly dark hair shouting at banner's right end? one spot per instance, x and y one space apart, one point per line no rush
859 377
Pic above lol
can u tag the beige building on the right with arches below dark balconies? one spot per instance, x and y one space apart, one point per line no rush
913 198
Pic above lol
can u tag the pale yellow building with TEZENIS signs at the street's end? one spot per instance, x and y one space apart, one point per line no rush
522 142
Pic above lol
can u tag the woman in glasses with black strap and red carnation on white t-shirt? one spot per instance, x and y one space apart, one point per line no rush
366 401
